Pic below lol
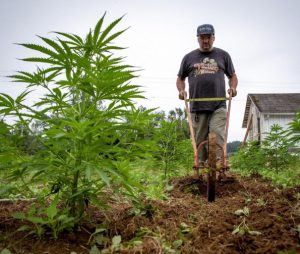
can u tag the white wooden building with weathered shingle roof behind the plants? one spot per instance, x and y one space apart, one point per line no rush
264 110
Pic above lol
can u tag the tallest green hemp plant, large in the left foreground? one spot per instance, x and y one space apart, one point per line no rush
84 113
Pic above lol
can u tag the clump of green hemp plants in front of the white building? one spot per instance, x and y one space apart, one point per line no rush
271 159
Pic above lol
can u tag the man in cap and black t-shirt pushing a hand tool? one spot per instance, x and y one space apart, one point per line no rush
206 68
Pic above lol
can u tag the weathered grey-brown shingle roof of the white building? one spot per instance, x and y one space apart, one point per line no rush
281 103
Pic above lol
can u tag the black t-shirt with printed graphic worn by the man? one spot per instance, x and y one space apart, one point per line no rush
209 82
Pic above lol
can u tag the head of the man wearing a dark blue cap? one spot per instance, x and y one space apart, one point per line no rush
206 37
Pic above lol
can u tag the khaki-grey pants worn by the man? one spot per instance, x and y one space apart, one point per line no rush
203 123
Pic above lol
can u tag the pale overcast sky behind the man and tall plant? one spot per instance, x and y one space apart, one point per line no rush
262 37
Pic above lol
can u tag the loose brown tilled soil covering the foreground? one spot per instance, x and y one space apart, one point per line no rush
184 223
